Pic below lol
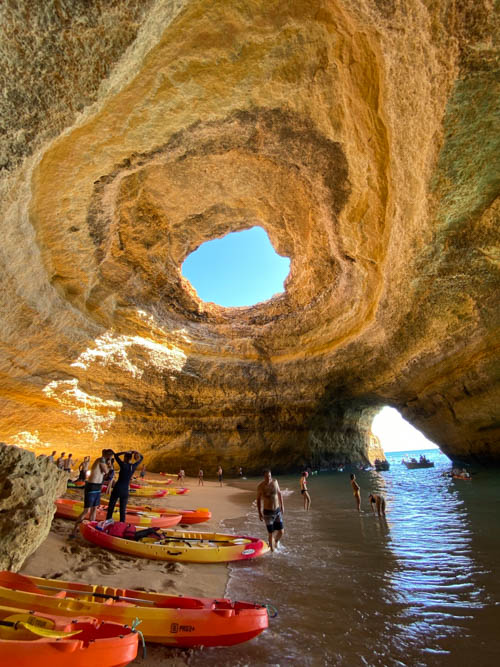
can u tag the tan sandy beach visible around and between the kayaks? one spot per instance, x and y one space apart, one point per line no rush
78 560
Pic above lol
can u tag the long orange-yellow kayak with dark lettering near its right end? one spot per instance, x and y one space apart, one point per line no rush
166 619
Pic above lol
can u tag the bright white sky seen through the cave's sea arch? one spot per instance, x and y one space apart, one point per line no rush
395 434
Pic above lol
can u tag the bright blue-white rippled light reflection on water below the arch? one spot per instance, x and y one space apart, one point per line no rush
431 538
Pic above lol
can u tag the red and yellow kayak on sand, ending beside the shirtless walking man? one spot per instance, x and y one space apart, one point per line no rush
174 545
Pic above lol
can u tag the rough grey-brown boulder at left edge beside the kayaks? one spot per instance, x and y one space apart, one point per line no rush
28 488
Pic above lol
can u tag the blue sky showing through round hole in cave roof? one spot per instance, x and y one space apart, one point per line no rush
240 269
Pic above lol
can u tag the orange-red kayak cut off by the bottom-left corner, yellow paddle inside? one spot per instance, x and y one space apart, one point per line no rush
29 638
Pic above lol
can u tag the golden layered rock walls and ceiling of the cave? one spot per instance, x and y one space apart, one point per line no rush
362 135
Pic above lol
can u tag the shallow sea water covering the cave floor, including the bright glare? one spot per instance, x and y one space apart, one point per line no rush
419 589
